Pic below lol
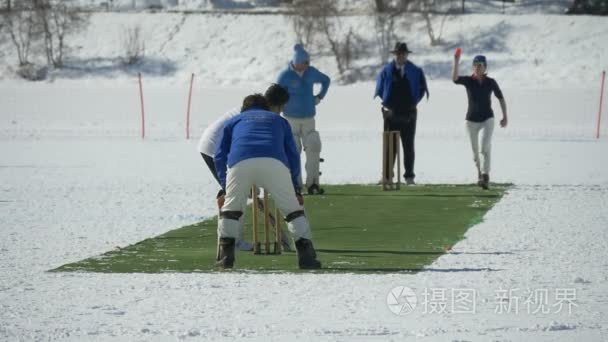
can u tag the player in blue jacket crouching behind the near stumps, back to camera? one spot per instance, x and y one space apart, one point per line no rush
257 147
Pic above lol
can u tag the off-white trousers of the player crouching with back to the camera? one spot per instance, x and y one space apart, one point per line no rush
270 174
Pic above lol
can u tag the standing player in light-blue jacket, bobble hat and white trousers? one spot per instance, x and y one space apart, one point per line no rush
299 79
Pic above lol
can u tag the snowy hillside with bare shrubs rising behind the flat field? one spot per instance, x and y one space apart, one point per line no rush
227 49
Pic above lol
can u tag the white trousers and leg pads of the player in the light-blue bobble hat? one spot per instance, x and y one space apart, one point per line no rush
307 137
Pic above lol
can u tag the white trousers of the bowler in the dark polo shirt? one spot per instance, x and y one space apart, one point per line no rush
485 129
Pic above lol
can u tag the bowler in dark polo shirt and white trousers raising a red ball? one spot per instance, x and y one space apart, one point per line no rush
480 117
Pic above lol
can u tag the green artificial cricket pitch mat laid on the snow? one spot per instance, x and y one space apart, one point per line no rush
356 228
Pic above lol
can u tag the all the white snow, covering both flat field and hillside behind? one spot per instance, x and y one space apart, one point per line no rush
77 180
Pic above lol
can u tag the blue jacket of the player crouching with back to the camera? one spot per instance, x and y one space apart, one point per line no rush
257 133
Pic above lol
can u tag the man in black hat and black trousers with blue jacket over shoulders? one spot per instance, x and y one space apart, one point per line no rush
401 85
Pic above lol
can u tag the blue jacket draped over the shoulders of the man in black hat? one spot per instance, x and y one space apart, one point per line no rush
415 76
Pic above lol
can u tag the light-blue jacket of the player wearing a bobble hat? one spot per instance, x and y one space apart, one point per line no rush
301 102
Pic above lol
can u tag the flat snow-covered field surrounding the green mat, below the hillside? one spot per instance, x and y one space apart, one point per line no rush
76 183
